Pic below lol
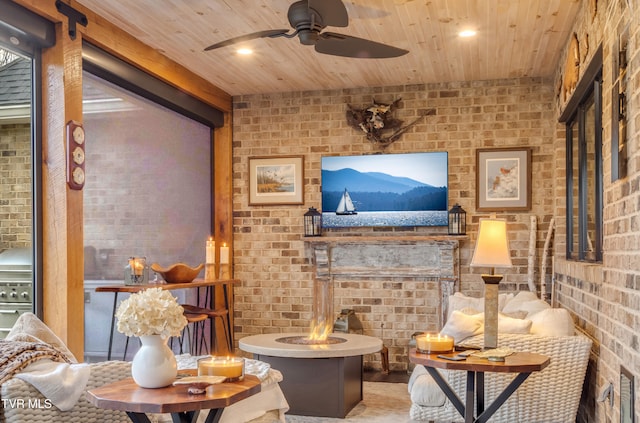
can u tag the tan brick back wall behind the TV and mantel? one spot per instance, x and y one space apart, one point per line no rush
269 257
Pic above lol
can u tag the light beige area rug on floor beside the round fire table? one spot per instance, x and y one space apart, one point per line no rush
382 403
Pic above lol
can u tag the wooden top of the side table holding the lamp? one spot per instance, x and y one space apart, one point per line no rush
518 362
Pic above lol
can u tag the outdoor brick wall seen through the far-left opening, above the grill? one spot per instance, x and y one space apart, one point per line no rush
16 186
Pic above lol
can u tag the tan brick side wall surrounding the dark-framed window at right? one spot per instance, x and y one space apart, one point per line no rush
604 298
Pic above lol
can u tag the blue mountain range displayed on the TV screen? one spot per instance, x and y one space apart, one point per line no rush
376 191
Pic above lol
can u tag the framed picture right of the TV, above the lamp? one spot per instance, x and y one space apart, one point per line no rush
503 179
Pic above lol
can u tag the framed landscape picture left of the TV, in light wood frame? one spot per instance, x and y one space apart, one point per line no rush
276 180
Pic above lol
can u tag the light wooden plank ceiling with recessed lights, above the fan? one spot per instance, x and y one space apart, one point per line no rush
515 38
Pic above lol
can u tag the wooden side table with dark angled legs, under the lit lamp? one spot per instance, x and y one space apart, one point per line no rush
520 363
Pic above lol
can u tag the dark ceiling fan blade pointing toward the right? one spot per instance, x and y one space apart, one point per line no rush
348 46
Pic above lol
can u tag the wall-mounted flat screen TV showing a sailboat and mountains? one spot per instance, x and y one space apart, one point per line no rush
385 190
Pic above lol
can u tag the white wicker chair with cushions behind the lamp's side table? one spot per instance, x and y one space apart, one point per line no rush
552 395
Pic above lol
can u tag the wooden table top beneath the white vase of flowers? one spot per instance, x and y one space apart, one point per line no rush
125 395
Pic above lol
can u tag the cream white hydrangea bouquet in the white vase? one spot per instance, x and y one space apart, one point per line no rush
153 311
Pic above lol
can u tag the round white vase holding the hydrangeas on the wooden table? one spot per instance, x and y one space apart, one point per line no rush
154 365
